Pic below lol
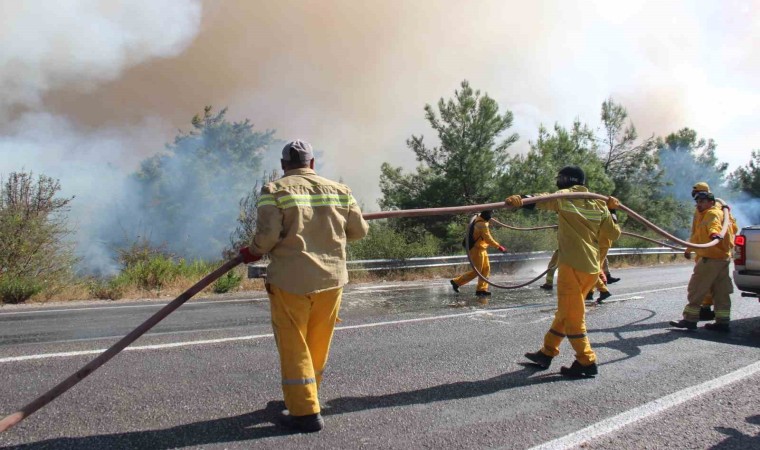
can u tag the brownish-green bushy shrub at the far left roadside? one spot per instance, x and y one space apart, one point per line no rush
34 251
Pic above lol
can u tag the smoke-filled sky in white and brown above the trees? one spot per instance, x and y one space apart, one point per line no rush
88 88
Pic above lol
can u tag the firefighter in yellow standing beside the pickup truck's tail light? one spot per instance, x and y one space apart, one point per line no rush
711 269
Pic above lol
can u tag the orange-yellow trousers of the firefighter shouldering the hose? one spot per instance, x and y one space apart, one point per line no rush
570 318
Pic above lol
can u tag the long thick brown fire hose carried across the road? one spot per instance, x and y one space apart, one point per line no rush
29 409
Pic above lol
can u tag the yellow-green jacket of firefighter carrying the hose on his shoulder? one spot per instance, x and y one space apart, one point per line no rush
583 224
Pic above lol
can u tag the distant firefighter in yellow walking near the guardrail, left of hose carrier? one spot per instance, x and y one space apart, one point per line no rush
480 239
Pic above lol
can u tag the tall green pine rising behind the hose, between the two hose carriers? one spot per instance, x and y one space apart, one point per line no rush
463 169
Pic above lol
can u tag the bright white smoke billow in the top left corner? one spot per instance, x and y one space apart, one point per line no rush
78 44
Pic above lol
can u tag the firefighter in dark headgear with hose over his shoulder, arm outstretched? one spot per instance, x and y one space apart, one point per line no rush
582 222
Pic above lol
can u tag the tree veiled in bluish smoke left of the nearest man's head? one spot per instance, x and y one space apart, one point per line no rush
188 195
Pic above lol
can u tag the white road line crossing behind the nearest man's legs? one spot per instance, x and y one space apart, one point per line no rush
252 337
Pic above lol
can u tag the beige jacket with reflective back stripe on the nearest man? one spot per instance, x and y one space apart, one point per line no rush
304 222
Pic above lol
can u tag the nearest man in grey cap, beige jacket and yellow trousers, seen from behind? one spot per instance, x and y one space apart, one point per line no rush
303 223
